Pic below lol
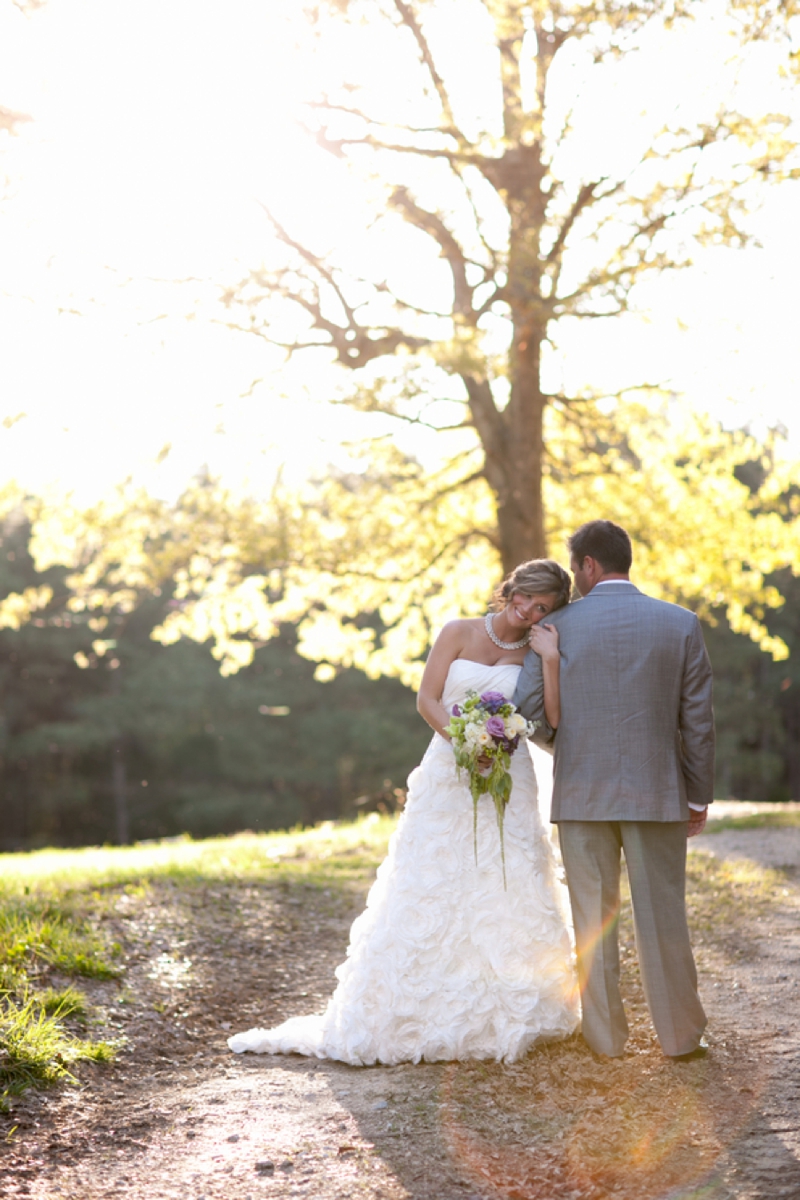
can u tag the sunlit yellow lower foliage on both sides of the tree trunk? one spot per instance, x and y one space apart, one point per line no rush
368 584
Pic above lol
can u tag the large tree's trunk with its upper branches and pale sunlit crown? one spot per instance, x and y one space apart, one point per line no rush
478 139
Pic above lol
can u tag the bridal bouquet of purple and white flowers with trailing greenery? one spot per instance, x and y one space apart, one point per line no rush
488 728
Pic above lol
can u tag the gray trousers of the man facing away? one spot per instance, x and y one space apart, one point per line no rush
655 854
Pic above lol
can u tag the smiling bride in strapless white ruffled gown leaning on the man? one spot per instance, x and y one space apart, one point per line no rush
444 964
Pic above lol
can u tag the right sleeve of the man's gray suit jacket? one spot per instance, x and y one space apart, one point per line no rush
696 722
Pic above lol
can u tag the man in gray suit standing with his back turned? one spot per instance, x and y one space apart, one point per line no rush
634 773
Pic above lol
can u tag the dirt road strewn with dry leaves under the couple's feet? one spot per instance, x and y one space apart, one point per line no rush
178 1117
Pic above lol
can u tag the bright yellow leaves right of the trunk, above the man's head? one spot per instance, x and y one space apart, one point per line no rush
702 536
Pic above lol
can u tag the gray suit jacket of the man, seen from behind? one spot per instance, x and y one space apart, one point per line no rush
636 740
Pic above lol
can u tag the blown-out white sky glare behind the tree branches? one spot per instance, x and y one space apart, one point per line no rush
134 199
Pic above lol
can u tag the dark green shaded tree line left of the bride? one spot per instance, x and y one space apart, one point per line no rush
99 716
